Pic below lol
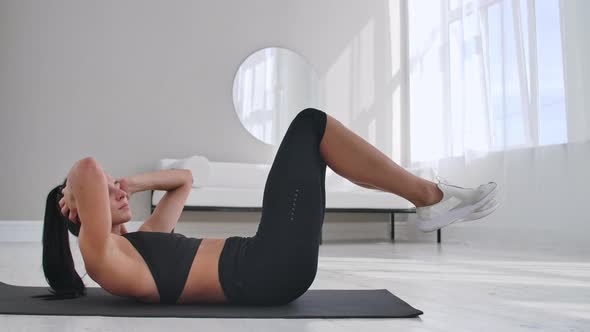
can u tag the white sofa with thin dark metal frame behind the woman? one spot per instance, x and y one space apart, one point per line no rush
231 186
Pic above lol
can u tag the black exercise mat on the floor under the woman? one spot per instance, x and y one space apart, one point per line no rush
315 303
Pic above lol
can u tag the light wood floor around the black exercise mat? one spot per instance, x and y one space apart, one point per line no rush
460 286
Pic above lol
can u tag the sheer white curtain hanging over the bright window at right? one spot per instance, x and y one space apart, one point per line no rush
495 92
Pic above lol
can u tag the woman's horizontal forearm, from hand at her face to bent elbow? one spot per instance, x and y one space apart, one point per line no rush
167 179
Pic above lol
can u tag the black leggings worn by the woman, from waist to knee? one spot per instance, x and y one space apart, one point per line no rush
279 263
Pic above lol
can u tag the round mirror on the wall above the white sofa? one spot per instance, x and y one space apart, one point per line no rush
271 86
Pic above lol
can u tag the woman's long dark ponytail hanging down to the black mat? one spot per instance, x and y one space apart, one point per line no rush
58 264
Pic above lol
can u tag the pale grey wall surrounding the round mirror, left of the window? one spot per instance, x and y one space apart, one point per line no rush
129 82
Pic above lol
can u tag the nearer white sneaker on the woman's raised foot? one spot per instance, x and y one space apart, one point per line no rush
457 203
